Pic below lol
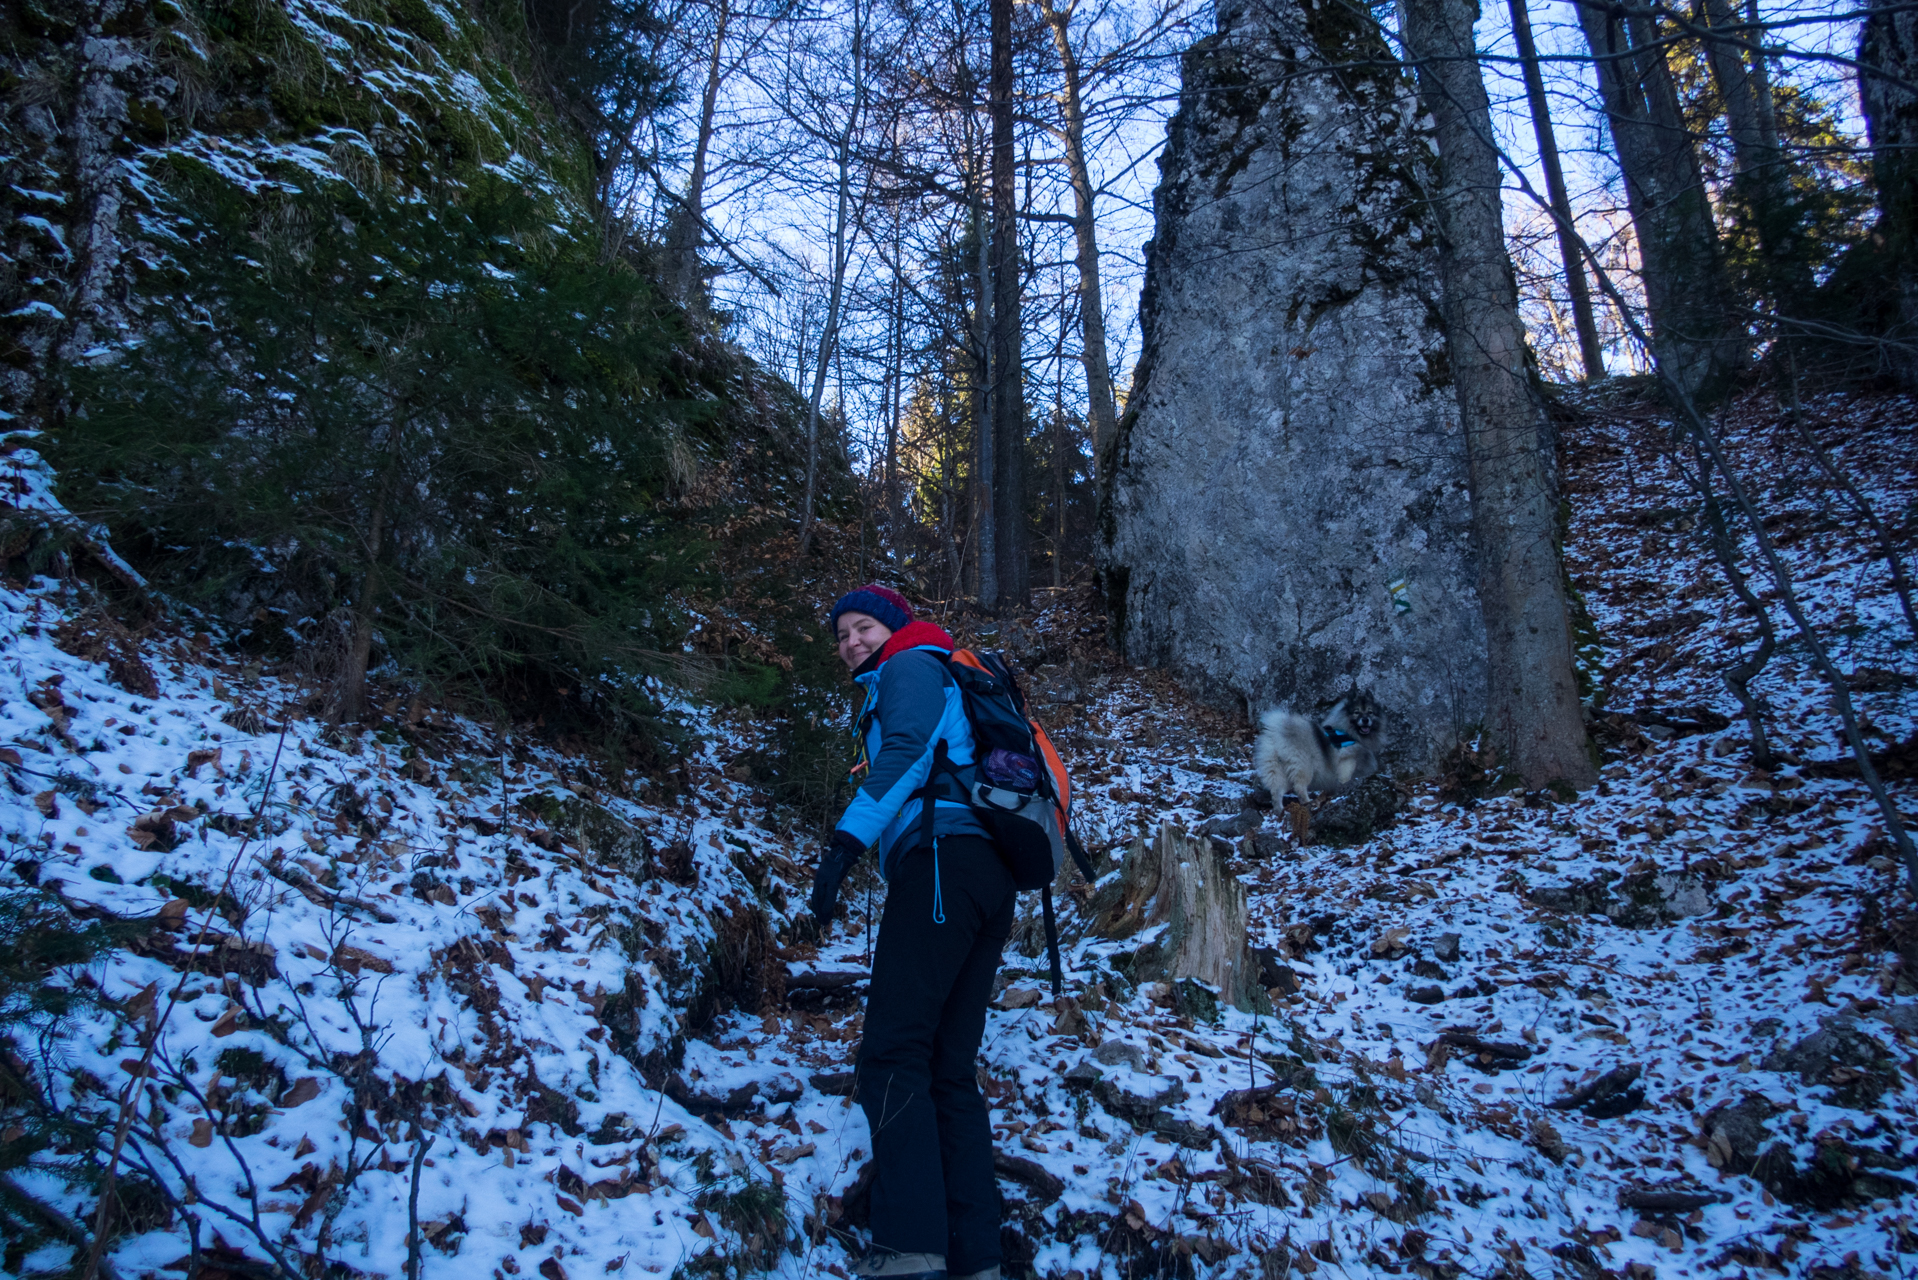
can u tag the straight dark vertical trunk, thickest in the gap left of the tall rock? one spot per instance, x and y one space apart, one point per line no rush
1012 538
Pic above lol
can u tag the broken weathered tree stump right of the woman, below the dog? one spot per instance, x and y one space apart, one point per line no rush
1186 895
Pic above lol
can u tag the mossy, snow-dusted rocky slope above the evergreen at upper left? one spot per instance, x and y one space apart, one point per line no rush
105 105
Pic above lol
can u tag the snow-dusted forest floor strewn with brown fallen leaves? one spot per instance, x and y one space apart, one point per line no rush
356 941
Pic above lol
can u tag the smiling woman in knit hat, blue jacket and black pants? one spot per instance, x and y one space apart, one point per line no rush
948 914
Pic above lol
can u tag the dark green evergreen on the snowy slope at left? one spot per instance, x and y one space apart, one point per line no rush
423 427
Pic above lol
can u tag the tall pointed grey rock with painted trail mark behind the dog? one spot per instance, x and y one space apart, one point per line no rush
1286 500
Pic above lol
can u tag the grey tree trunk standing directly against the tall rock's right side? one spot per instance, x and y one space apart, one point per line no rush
1533 713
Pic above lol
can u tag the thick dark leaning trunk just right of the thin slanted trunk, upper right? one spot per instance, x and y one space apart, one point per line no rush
1695 323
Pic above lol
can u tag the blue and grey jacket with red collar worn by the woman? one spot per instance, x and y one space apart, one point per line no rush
912 703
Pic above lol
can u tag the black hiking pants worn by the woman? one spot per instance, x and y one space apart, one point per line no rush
933 1189
